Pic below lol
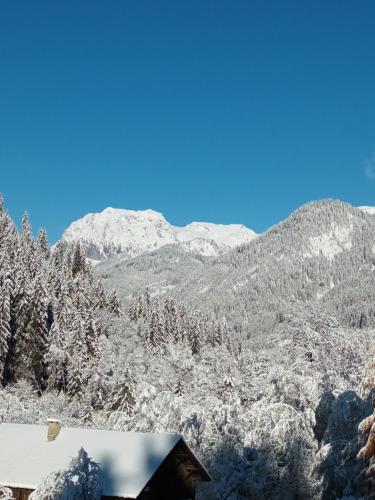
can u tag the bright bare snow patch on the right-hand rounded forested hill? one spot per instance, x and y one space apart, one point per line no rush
333 242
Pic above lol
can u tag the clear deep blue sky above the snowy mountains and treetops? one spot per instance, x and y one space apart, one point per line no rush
223 110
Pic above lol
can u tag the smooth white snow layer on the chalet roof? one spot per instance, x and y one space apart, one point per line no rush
129 458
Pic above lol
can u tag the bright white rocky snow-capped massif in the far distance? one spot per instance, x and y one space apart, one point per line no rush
129 233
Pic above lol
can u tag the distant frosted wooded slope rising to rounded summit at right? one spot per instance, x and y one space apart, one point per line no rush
318 254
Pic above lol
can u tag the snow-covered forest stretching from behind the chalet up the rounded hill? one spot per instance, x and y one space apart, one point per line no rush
262 358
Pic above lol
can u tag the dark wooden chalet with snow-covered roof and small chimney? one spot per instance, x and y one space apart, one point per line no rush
133 465
